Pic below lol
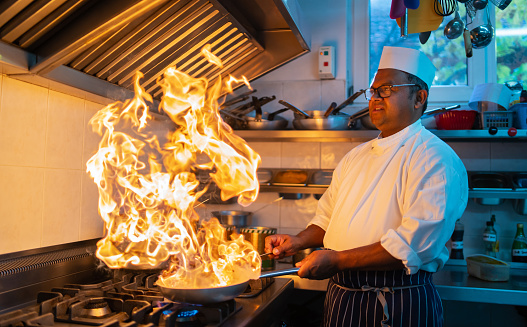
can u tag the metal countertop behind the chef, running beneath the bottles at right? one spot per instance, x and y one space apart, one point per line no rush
453 283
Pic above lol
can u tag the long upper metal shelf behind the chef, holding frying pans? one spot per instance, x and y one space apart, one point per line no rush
366 135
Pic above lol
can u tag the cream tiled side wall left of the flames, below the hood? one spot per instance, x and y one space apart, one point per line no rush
46 196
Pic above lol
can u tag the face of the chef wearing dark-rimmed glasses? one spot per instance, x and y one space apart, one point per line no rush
399 110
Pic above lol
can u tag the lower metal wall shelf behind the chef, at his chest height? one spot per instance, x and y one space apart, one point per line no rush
502 194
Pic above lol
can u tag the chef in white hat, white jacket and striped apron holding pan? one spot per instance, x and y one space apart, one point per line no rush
389 211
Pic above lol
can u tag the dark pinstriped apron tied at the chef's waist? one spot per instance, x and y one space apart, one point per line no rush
382 298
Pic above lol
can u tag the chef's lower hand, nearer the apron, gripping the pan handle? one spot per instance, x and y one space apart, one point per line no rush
319 264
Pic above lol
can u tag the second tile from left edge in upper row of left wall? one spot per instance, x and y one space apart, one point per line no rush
64 132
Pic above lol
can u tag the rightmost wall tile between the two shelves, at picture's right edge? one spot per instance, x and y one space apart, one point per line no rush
508 157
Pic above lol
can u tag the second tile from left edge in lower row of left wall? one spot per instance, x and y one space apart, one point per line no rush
62 203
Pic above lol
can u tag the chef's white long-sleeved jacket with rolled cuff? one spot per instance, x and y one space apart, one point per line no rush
406 191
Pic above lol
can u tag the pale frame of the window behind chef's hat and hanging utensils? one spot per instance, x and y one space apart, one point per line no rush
486 58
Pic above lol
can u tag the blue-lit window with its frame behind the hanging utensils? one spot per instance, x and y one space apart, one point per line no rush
505 58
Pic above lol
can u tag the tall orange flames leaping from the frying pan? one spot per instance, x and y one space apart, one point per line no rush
147 183
